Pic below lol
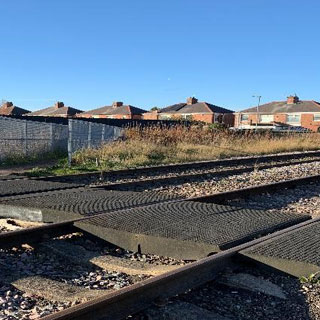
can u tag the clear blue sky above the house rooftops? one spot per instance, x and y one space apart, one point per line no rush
155 53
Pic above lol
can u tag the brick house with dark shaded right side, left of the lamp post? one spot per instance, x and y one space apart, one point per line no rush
193 110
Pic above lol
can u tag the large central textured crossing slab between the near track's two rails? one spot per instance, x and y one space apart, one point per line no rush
185 229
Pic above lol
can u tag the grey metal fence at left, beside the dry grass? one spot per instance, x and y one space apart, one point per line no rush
28 138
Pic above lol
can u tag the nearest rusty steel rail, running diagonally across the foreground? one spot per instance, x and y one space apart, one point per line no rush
117 305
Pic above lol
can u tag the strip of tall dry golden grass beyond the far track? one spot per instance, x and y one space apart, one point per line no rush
155 145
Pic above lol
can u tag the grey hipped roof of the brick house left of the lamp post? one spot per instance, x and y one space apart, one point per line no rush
199 107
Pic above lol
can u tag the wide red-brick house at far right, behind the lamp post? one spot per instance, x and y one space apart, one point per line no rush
293 112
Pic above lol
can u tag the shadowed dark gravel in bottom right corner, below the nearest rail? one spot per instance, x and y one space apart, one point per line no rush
302 301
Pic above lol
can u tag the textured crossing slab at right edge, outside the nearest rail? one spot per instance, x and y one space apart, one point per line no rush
296 253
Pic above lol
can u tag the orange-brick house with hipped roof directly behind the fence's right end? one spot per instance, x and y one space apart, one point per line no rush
116 111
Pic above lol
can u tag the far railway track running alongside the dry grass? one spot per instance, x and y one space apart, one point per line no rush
138 179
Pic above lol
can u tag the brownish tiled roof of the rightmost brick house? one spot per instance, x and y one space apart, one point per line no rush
283 107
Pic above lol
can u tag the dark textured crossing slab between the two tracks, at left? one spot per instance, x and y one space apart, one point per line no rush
75 203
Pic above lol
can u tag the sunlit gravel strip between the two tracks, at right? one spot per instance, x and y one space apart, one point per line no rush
234 182
